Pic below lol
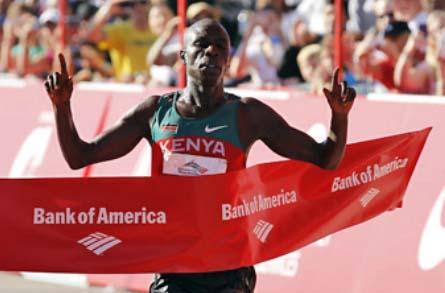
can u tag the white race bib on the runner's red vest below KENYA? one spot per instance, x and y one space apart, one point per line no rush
191 165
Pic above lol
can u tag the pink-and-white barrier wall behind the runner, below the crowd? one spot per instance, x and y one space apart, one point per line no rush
400 251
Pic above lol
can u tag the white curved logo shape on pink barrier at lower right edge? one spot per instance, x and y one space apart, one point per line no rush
432 244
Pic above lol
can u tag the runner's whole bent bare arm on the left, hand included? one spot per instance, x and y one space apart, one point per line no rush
113 143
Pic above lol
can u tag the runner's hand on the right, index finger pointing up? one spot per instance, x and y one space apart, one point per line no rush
340 97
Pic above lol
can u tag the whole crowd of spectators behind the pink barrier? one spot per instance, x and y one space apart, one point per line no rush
388 45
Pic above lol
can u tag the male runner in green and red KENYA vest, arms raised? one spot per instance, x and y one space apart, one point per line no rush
208 129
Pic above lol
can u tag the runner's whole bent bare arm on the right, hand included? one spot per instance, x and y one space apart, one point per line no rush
259 121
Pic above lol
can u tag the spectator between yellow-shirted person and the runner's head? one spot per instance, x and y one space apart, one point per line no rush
163 55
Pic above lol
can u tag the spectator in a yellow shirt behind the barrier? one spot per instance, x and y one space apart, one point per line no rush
128 41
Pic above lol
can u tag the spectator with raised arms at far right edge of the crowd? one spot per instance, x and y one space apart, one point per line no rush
420 76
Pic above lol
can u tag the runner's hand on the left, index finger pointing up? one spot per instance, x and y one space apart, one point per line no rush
59 86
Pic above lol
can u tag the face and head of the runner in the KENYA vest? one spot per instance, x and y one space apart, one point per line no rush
207 53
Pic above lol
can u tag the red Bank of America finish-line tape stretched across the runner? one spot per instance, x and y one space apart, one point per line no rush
210 223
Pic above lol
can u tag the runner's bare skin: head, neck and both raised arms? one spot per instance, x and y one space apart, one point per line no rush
206 56
